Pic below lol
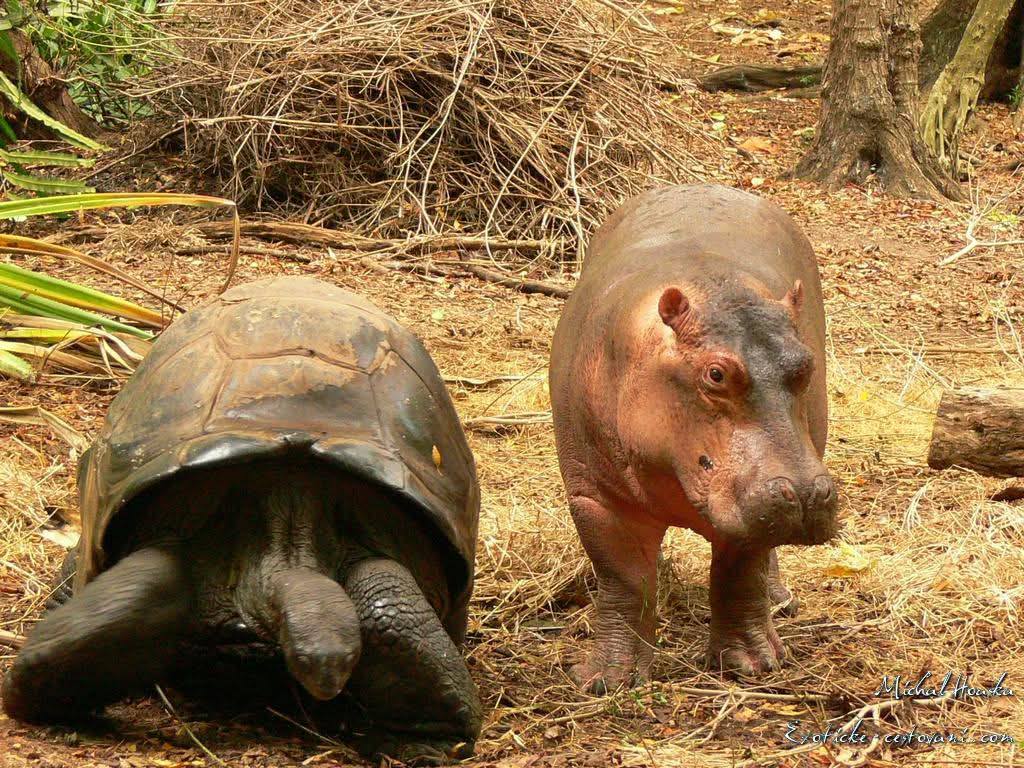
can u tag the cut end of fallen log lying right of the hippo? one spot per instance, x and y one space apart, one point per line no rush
980 430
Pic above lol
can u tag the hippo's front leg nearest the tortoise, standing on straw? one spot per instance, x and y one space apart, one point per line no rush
624 552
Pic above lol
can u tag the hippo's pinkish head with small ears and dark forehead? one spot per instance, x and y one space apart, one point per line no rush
740 376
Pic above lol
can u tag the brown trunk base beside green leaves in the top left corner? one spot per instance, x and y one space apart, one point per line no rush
47 90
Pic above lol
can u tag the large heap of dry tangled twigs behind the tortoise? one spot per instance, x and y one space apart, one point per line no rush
508 118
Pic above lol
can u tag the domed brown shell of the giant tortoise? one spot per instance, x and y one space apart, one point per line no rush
286 367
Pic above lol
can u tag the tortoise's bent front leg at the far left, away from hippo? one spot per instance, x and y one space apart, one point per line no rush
119 634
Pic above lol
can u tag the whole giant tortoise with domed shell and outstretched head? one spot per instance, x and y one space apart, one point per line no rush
286 470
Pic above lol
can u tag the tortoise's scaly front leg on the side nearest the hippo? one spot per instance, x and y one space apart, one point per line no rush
412 682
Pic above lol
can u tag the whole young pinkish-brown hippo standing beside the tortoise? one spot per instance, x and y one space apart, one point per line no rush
689 389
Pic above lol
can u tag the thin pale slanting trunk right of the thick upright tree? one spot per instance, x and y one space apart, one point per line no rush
955 95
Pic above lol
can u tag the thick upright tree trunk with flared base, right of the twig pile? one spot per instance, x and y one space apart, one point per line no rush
869 105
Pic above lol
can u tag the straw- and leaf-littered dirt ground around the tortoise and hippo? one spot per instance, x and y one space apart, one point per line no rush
928 574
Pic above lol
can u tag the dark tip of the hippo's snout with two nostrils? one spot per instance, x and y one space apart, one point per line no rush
785 511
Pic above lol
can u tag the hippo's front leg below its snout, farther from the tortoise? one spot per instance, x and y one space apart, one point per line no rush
743 638
